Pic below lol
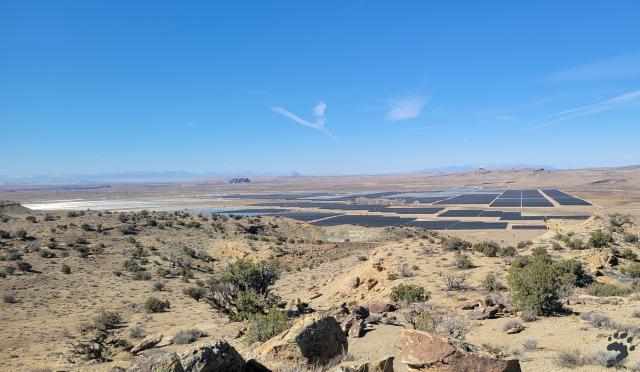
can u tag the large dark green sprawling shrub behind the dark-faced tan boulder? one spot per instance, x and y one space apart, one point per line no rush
243 288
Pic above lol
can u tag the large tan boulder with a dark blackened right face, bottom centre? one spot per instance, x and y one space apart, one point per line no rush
315 339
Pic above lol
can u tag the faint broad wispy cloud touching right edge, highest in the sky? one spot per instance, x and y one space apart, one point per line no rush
618 67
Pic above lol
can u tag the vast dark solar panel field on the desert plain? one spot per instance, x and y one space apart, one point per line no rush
440 201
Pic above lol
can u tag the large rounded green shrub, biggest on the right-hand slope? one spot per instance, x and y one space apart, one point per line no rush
534 284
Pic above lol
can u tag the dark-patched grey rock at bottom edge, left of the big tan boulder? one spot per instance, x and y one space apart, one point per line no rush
207 358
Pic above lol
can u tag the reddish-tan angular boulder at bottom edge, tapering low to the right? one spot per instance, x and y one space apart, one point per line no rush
422 351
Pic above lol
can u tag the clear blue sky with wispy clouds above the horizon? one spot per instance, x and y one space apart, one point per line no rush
331 87
